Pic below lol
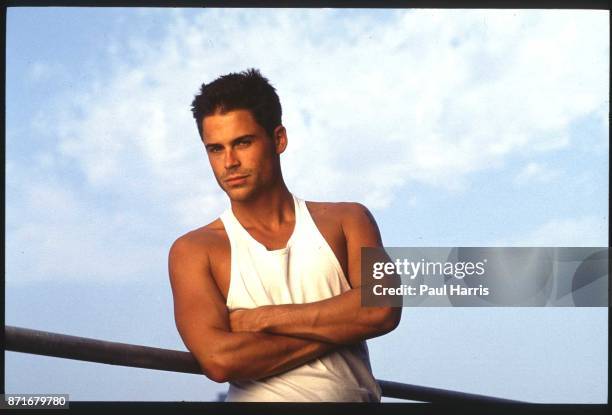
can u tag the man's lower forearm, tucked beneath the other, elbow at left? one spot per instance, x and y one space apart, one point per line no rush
250 355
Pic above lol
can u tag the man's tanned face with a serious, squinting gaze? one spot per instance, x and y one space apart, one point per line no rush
243 157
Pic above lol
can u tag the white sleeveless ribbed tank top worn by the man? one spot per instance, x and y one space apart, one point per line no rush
306 270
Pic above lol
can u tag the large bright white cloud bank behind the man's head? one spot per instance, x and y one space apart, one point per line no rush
372 101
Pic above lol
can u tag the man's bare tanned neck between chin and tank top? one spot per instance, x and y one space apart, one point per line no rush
269 210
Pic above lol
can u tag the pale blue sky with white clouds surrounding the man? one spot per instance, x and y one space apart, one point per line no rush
456 128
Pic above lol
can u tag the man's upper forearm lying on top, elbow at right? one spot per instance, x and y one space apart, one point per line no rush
340 319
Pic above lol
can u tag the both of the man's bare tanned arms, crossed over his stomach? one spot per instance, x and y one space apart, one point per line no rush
276 338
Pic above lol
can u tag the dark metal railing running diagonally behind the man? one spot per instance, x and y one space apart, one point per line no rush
18 339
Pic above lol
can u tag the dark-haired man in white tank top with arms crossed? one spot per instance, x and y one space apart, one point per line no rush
267 296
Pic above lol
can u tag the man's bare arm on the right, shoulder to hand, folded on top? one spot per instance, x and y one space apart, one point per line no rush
340 319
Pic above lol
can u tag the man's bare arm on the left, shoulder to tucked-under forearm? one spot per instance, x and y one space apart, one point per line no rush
203 322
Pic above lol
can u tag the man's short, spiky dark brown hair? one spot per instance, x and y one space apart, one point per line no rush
247 90
